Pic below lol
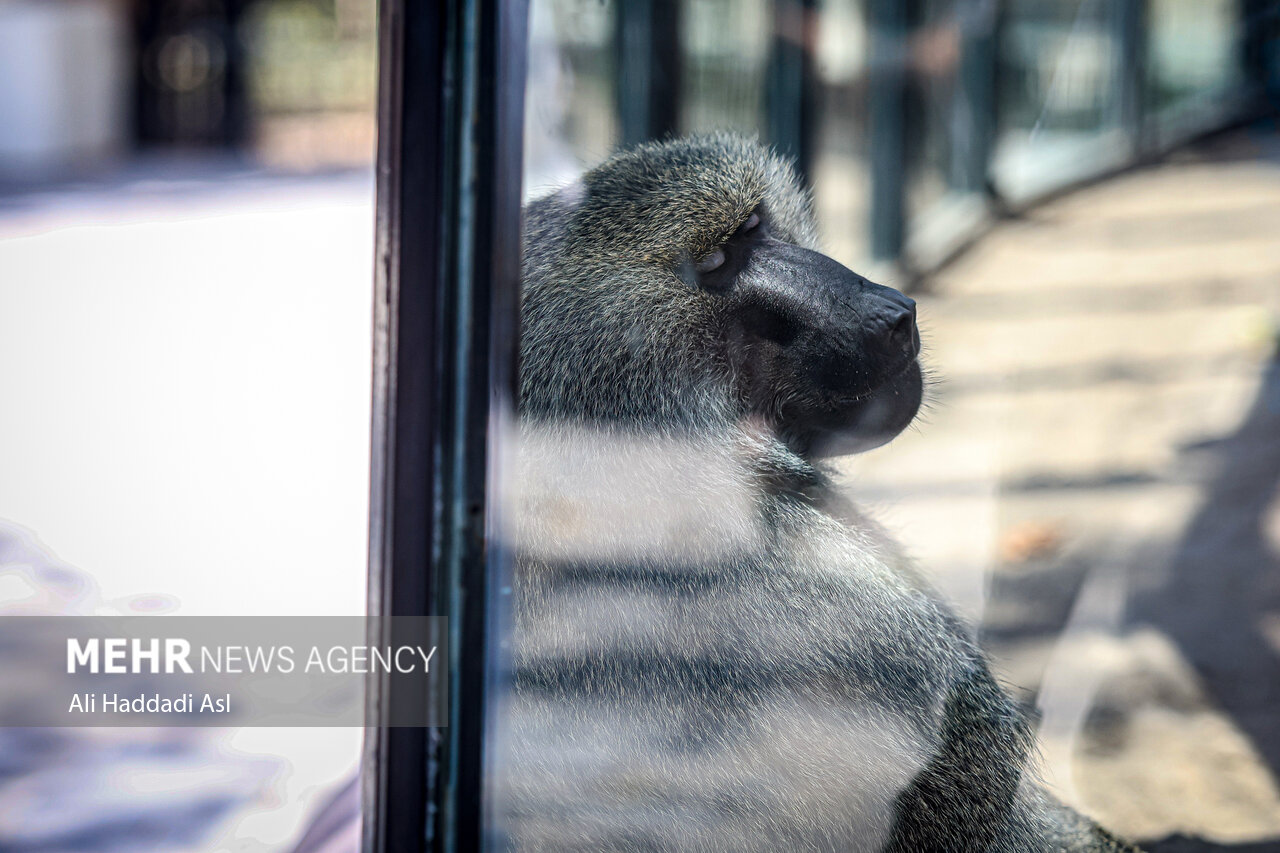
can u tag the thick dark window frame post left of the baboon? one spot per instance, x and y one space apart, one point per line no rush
446 322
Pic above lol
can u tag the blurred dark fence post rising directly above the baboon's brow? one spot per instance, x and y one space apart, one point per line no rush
792 93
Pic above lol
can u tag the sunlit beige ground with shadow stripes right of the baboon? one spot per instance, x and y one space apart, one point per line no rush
1096 482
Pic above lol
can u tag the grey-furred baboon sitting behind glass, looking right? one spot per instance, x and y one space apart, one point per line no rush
712 649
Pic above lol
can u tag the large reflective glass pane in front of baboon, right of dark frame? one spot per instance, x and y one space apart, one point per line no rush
778 586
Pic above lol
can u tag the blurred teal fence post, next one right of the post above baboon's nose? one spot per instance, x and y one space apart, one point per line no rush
975 125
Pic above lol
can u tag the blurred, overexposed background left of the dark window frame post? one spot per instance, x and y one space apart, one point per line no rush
186 280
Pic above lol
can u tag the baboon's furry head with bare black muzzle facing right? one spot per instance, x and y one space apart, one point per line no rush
678 285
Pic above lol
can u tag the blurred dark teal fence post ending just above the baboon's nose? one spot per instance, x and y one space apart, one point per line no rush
888 31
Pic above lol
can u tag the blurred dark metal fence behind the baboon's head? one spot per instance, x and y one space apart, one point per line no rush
915 121
